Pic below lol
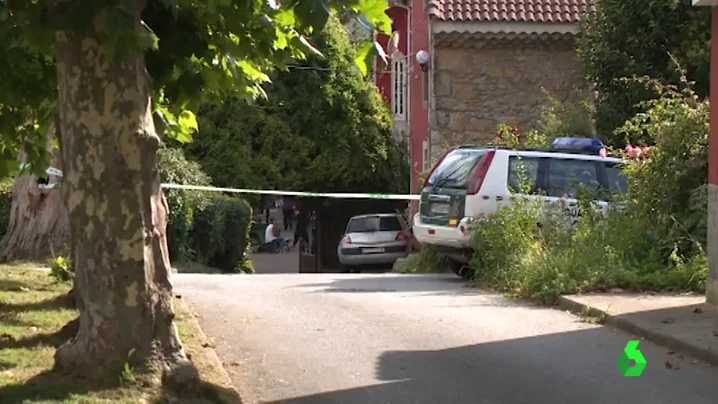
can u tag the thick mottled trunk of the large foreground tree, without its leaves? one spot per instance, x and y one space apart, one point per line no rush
117 214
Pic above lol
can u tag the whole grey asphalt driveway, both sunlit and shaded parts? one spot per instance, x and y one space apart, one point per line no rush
390 338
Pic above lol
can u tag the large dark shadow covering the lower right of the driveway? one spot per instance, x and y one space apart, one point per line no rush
572 367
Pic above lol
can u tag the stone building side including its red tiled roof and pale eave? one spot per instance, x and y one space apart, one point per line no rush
491 62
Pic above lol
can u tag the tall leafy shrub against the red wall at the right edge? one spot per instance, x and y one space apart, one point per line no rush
668 189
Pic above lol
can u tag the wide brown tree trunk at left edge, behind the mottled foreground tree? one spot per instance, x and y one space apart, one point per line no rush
38 227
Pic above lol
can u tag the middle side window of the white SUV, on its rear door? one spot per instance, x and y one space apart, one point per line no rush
567 176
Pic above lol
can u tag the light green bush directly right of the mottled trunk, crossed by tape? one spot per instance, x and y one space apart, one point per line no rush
175 168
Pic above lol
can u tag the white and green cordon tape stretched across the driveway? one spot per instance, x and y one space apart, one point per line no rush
338 195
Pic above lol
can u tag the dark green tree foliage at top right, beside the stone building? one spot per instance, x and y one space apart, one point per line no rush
626 38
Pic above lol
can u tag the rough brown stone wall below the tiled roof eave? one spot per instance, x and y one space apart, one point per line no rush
475 90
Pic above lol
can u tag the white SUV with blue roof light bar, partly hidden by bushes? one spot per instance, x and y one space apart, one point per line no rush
471 181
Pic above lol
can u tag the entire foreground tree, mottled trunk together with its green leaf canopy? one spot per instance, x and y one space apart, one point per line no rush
193 52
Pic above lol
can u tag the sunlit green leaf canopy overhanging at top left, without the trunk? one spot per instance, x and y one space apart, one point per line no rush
195 51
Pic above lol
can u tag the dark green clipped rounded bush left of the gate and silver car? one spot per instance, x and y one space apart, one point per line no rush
220 235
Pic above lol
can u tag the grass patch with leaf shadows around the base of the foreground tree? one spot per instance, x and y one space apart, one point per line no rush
33 310
